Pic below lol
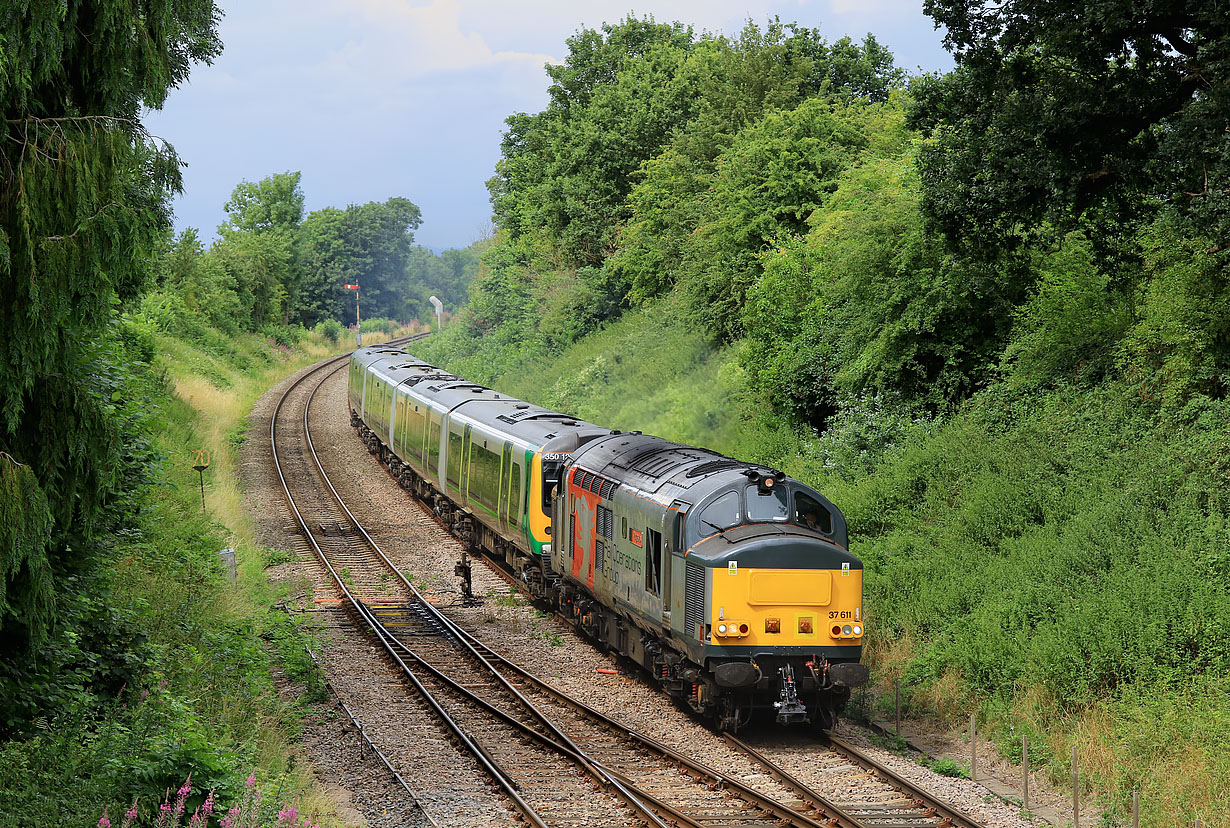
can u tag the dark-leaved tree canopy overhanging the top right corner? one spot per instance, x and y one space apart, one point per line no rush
1078 109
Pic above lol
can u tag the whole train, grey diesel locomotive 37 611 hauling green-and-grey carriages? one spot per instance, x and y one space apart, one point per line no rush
730 583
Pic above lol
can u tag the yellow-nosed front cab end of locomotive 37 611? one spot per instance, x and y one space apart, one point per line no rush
776 608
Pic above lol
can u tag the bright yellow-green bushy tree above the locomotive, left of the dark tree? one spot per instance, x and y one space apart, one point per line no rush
869 303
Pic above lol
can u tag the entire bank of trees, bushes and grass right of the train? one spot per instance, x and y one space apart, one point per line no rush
993 328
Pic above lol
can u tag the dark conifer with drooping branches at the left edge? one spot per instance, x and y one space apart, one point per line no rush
83 193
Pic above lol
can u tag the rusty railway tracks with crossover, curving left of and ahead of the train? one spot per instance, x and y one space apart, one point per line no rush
501 738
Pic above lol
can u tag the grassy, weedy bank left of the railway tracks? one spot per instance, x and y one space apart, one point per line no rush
201 697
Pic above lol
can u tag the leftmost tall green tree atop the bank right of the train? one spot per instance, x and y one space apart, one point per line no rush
566 172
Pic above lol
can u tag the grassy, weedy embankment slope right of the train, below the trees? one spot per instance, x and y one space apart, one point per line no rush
1056 560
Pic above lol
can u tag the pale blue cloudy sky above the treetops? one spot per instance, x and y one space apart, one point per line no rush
373 99
